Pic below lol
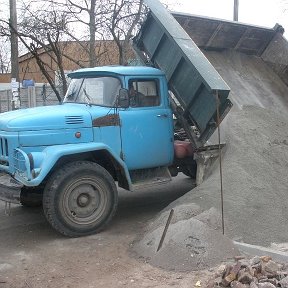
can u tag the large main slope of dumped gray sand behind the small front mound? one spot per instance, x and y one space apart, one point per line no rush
255 169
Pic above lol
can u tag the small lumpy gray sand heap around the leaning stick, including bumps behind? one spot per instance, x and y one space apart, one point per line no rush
193 242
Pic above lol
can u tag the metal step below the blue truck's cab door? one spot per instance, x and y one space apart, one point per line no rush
145 177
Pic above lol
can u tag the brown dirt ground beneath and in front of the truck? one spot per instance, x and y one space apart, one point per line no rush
33 255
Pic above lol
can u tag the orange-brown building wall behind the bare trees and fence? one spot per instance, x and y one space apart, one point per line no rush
74 55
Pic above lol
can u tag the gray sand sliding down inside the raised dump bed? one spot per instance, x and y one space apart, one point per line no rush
251 80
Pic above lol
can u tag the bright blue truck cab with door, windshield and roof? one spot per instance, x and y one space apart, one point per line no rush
139 129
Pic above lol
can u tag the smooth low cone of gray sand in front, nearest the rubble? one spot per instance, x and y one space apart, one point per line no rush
189 245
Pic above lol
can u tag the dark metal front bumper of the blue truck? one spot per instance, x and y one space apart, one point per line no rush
10 189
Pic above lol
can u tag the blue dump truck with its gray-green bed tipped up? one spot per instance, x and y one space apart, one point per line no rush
134 126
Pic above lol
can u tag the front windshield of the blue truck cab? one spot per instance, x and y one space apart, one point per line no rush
101 91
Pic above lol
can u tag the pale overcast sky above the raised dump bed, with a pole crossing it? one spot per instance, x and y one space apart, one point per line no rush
258 12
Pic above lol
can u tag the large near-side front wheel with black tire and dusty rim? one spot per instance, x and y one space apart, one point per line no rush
80 199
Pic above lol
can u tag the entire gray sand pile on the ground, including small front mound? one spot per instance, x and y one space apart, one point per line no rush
255 168
